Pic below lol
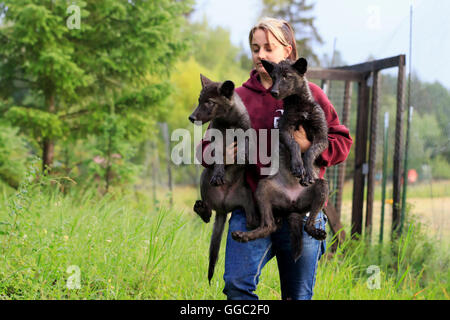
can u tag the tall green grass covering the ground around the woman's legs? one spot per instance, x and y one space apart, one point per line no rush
124 246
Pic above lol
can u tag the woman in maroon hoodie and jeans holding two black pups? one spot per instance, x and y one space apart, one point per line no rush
274 40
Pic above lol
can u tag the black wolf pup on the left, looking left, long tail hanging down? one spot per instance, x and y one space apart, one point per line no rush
223 188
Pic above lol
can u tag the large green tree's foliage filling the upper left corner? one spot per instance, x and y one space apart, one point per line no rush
118 44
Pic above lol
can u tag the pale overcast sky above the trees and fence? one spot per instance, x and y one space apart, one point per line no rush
379 28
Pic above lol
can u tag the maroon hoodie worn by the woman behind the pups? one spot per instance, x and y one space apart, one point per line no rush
264 110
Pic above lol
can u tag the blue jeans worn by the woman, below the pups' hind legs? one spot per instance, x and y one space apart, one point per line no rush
244 261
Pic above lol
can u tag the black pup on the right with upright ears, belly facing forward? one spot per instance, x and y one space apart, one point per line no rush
282 193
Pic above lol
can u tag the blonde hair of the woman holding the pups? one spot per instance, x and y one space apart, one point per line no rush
281 30
